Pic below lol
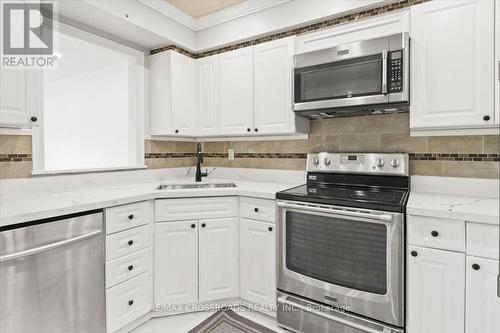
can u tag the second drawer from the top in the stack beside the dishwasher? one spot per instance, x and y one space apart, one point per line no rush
127 242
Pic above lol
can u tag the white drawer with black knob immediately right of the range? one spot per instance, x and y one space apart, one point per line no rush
436 233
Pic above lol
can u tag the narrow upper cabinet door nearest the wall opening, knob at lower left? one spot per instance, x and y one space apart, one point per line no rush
183 95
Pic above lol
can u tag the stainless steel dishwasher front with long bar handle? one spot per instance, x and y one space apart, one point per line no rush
52 276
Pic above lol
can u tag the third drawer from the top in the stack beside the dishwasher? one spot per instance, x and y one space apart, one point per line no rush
127 267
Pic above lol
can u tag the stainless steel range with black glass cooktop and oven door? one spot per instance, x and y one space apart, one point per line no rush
341 245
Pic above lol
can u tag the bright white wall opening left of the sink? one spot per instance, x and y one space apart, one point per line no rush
93 106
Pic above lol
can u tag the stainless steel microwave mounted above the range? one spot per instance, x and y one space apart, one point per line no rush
363 77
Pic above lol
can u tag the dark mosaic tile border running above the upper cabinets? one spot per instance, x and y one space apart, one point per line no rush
297 31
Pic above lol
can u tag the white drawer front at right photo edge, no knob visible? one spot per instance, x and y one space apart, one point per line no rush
482 240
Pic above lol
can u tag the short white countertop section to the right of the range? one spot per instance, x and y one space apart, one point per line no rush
454 198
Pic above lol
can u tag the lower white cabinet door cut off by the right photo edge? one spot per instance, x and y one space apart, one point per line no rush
483 304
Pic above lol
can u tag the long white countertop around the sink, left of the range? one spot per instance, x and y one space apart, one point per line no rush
28 207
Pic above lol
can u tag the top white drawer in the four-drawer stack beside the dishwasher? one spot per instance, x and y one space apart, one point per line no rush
128 216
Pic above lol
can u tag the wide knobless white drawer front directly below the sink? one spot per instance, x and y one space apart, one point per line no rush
195 208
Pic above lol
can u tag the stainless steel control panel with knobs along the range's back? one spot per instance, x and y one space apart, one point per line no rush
390 164
